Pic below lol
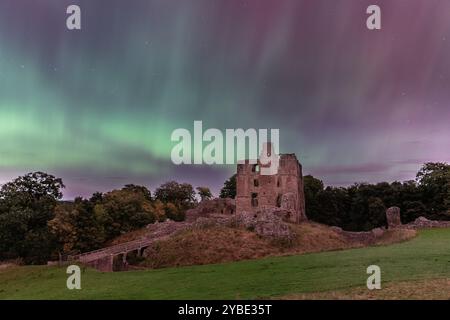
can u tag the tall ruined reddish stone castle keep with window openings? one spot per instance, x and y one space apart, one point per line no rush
283 190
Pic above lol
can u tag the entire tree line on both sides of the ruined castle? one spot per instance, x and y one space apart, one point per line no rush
36 225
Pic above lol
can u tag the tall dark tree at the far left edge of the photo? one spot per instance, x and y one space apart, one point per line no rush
26 205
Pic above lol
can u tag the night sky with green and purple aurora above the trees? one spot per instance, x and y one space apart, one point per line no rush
97 106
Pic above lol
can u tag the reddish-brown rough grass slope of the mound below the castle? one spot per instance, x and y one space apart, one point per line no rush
219 244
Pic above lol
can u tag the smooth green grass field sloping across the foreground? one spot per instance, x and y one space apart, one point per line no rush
425 257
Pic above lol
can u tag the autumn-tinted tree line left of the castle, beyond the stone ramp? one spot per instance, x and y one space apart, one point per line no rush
36 225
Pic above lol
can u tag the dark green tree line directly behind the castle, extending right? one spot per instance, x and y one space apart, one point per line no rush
363 206
